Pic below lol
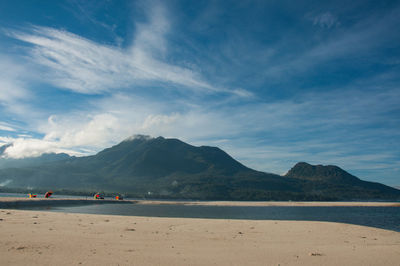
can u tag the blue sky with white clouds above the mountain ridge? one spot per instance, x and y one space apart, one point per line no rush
270 82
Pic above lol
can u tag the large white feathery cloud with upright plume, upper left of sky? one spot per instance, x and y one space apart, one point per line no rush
81 65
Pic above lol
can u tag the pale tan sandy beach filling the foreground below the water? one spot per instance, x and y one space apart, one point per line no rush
50 238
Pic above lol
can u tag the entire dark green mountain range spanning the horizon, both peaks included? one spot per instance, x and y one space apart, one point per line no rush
160 167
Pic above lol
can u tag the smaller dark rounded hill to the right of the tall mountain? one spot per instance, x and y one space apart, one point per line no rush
338 183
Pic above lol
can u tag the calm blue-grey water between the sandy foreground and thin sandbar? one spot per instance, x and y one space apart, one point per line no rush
380 217
